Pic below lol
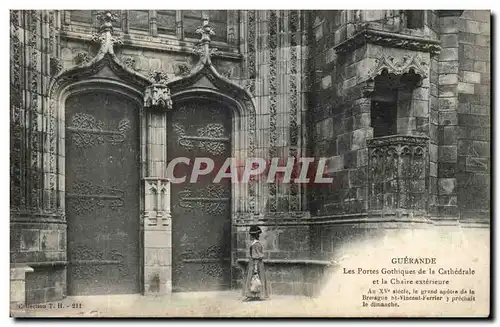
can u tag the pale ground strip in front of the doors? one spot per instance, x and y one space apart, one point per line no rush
203 304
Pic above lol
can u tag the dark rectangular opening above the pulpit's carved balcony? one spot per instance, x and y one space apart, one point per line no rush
383 118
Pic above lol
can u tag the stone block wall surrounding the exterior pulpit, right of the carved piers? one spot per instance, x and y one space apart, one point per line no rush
447 106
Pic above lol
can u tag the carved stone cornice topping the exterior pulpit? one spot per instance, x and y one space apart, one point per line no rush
387 39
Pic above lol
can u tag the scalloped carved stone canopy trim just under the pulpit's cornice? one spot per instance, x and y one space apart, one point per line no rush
405 65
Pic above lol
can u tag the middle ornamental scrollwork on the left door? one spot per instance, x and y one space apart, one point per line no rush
86 197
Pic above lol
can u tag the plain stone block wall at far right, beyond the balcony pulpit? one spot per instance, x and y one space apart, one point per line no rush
463 117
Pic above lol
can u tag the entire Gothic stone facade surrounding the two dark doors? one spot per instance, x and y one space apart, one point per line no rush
398 101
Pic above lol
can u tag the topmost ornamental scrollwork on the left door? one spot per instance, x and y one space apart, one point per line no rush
87 131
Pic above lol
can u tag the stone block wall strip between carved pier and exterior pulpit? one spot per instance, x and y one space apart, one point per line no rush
340 120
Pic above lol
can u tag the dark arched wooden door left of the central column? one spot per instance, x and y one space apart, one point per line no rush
102 194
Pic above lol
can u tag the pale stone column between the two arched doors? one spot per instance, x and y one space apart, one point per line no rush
157 226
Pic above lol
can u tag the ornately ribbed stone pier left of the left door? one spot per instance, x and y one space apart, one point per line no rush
36 219
